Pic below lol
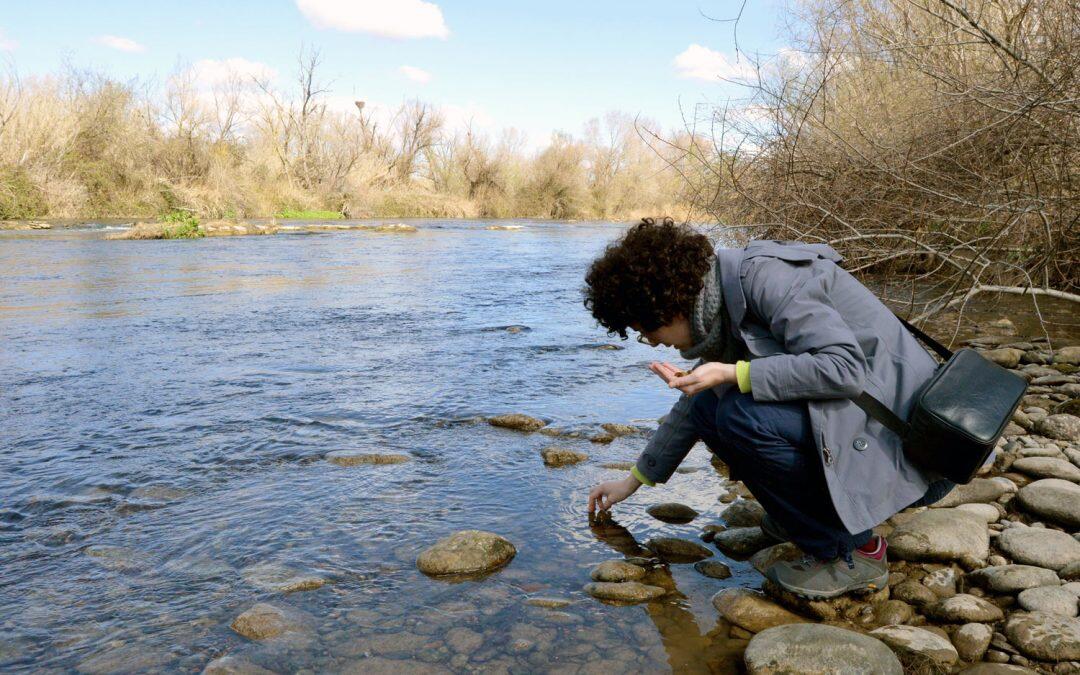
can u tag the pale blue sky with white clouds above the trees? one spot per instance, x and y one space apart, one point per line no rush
536 66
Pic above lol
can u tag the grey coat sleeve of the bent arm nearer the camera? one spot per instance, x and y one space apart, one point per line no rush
823 359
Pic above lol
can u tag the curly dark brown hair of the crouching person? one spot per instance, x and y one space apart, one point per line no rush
649 277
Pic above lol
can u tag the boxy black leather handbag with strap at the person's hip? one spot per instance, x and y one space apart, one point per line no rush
960 414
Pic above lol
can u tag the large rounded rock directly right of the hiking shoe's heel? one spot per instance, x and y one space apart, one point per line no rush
941 535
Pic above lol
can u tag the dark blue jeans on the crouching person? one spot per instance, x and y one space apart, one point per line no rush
771 448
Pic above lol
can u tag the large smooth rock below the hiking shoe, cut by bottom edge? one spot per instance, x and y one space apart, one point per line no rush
818 649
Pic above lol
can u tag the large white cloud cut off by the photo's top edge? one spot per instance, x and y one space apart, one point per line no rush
389 19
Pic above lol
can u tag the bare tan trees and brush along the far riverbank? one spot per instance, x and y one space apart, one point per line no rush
82 144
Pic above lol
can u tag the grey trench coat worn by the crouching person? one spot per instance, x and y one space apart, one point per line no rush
815 333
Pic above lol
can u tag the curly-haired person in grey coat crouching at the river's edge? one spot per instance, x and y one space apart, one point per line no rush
785 340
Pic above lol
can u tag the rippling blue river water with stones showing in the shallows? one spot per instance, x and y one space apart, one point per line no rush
167 407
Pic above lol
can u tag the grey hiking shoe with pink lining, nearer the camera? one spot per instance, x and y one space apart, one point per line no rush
823 579
